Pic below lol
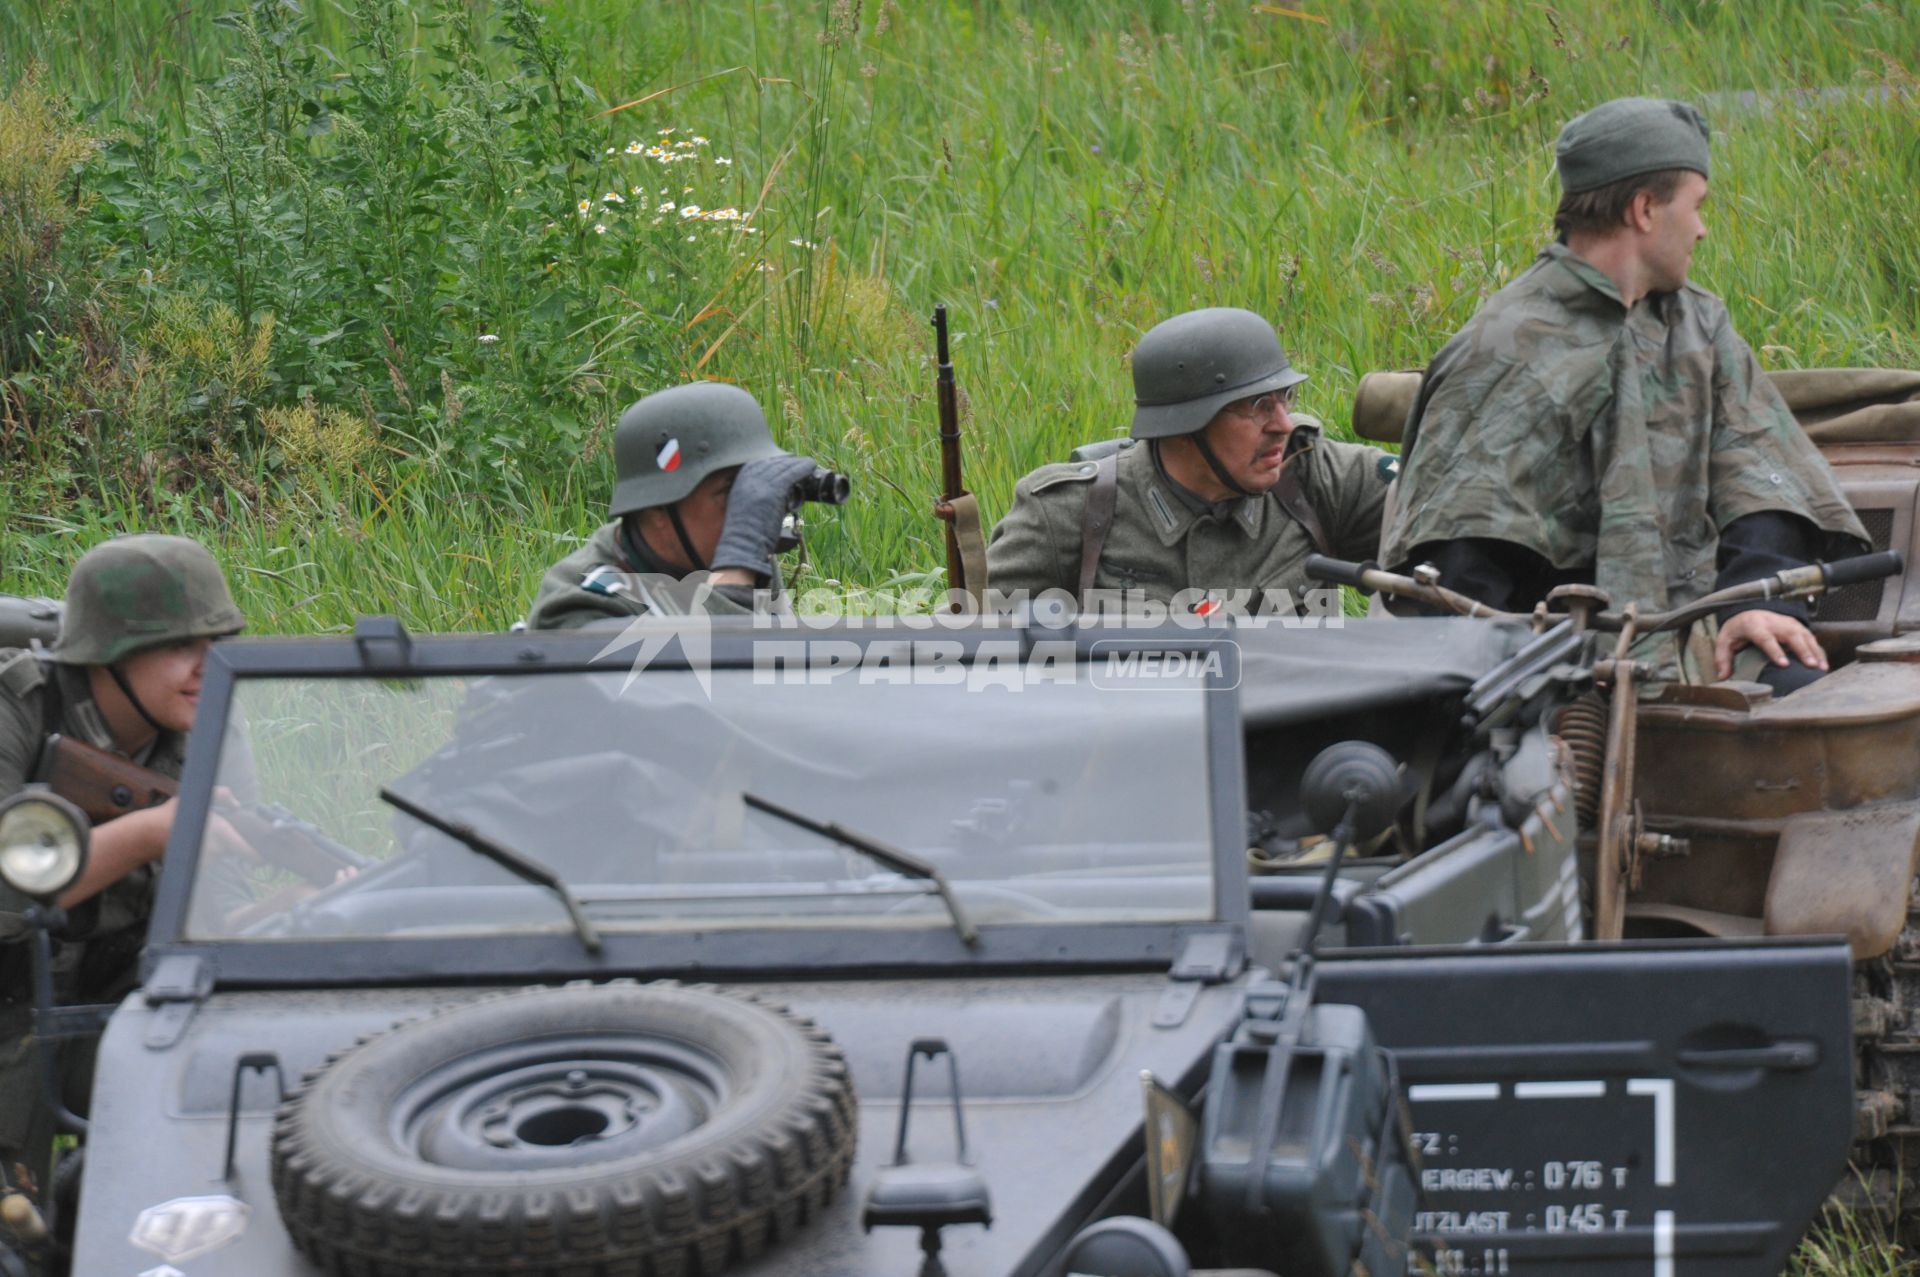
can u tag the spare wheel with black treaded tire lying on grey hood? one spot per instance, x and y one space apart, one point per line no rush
615 1128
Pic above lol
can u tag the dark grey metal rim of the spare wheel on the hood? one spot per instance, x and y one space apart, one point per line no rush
560 1103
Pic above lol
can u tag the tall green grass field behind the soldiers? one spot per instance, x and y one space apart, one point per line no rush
1063 176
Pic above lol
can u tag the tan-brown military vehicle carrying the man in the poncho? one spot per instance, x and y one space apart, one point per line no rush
1796 817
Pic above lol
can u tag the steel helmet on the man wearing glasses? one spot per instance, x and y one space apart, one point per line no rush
1189 368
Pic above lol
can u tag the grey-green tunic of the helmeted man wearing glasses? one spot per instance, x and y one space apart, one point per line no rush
1166 541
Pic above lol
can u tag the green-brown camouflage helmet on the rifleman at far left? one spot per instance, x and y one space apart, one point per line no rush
139 592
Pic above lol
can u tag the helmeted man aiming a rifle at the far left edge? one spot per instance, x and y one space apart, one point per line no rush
122 675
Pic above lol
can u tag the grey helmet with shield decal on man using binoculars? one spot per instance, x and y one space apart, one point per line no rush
675 439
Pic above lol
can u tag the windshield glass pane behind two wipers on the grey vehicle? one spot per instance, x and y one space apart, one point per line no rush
1055 804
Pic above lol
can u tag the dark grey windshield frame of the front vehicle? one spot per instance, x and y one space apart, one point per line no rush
560 955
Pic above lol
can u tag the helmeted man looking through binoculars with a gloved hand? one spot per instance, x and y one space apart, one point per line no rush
698 506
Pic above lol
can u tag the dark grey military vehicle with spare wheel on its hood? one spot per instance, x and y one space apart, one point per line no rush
905 948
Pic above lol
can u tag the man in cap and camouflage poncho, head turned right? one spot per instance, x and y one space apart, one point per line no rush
1602 422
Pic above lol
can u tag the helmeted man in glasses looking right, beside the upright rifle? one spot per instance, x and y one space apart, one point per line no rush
1222 493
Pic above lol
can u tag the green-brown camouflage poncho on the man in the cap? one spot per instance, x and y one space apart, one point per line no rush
1604 437
